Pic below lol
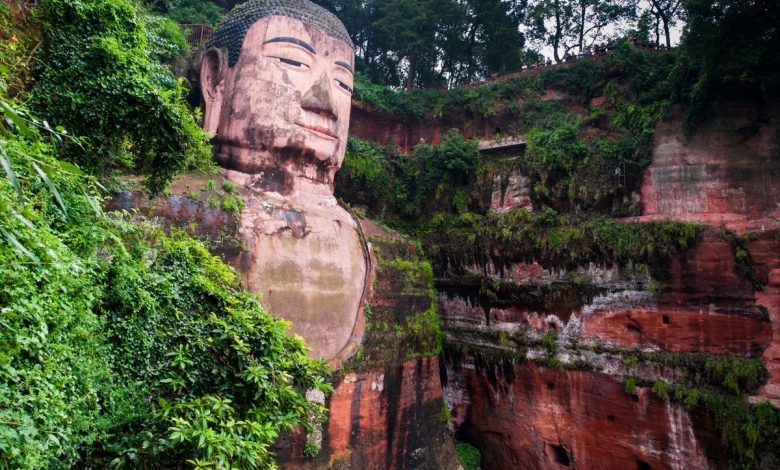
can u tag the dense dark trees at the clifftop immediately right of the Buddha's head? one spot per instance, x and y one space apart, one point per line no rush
433 43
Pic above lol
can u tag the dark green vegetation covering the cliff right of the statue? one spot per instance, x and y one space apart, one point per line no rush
605 113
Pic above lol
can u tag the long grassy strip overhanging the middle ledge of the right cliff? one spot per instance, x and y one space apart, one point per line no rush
552 239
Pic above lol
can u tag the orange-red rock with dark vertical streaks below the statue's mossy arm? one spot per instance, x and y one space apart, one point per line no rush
379 419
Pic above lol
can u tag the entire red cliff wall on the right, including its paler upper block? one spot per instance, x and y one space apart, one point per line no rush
583 368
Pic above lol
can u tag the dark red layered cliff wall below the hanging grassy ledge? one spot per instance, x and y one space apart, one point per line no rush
532 370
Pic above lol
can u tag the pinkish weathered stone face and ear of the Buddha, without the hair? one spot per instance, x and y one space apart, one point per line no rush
285 102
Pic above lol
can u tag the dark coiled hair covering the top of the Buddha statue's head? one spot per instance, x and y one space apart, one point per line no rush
231 31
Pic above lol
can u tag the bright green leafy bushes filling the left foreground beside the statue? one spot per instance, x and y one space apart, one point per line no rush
121 345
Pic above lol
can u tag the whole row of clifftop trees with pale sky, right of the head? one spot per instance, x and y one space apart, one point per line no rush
447 43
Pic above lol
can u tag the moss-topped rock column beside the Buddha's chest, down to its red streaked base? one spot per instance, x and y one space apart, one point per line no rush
387 407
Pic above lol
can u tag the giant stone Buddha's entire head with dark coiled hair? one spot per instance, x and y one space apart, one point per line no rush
276 79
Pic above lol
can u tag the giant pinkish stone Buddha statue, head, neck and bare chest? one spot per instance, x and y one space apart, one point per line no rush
276 79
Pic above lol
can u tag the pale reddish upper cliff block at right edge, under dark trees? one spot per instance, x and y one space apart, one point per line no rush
725 173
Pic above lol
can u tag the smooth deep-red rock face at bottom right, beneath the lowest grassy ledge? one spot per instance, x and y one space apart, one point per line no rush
525 416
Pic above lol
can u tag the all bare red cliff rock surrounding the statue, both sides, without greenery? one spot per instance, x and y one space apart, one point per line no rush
601 365
